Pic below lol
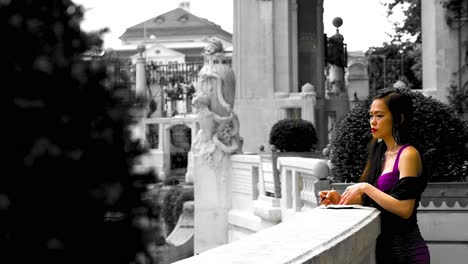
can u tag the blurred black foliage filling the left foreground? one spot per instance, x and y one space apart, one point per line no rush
69 192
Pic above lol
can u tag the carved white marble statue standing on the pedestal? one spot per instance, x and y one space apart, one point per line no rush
214 101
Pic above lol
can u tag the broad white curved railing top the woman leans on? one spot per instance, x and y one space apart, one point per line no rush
307 236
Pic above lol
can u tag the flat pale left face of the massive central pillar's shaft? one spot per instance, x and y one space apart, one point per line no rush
254 50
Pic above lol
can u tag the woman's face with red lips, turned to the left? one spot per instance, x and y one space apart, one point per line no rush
380 119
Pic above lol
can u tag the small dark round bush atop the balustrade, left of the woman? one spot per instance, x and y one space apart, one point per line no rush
293 135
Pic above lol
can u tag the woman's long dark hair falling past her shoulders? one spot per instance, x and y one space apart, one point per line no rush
401 107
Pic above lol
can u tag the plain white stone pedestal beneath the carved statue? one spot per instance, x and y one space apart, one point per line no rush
212 203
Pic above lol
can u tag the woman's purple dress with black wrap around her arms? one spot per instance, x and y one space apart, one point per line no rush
400 240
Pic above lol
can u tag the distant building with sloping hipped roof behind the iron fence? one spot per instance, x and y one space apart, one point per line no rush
177 36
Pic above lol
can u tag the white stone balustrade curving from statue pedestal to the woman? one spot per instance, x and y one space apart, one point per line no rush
290 229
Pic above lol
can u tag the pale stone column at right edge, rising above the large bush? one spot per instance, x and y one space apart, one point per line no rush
443 54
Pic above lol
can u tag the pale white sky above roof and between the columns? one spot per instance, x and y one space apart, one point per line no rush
364 21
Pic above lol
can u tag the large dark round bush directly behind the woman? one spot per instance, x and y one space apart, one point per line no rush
437 132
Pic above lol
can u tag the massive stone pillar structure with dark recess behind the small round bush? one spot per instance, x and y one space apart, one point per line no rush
279 48
